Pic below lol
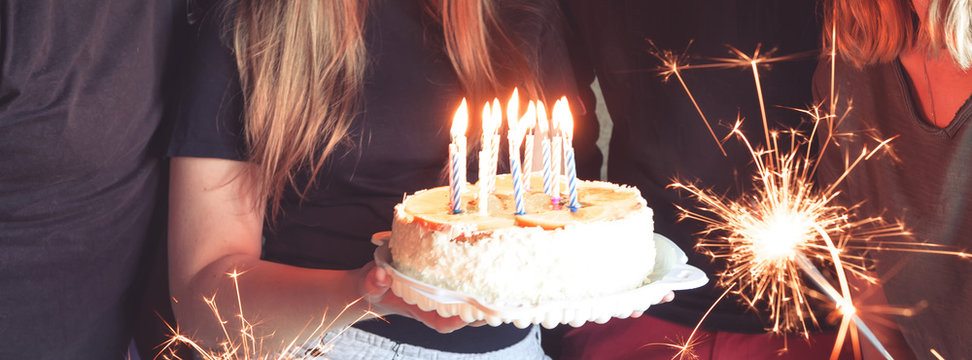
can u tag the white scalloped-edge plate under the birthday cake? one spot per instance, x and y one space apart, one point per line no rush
671 273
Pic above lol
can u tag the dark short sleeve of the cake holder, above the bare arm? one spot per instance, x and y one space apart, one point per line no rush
208 119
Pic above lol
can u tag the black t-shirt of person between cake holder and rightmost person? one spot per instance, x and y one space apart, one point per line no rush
658 135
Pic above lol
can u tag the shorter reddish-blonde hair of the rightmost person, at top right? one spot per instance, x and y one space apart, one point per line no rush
877 31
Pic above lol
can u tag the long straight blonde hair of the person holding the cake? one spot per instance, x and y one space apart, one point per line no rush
302 66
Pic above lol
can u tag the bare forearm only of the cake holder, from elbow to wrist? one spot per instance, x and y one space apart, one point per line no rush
285 301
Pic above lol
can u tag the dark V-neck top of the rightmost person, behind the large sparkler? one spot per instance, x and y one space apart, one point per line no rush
925 181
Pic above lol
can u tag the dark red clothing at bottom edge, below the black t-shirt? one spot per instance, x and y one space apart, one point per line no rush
630 339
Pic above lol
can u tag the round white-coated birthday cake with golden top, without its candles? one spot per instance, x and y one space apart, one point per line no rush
548 254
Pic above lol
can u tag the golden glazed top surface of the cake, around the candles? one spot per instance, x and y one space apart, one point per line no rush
600 201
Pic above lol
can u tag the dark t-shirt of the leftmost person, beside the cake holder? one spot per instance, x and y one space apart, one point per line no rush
80 102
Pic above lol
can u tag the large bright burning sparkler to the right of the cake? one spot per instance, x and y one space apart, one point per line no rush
769 237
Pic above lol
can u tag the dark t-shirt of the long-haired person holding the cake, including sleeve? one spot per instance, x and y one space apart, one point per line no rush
397 146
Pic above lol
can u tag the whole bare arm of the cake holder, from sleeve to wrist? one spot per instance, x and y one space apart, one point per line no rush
215 229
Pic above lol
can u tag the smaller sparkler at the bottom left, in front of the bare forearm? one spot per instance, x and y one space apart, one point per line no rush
247 345
